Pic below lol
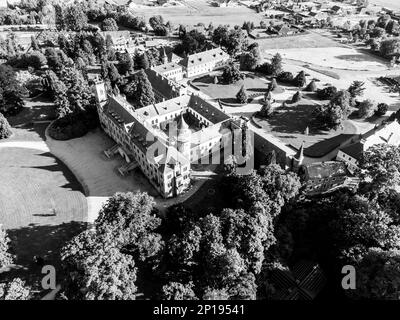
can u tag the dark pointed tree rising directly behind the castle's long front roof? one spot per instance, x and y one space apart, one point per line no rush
140 90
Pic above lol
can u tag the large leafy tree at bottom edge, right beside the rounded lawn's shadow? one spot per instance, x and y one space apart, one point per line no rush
98 270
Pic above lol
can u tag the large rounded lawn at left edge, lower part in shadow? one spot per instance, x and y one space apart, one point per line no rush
42 206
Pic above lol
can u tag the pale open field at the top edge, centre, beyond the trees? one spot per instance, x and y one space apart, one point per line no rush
196 11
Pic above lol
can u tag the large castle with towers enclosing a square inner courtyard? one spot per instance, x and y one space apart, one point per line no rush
162 139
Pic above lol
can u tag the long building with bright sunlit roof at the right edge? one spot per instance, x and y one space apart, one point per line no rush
352 153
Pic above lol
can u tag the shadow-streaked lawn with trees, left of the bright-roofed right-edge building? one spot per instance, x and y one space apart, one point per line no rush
289 125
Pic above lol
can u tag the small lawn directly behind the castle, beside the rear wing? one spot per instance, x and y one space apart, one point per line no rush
227 92
